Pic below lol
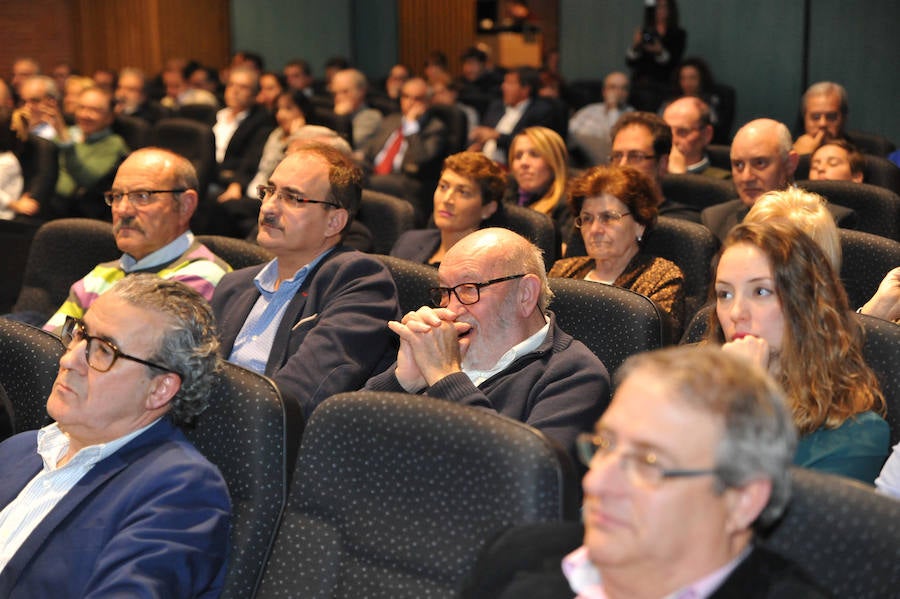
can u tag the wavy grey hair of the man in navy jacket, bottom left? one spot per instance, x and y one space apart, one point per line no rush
189 345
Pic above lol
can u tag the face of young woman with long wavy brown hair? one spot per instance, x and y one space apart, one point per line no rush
746 301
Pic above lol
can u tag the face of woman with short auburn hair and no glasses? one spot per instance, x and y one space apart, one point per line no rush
457 204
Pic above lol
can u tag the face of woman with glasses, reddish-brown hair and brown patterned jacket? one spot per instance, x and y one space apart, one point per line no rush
612 231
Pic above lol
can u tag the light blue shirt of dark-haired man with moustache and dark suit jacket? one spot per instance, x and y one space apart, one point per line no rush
254 343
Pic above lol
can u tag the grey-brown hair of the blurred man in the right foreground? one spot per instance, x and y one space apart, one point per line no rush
759 436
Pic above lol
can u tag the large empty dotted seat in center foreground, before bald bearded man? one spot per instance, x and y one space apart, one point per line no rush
394 495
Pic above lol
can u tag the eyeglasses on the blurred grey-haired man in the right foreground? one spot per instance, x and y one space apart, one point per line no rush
641 467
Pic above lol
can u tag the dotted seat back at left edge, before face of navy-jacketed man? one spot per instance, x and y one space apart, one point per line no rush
30 358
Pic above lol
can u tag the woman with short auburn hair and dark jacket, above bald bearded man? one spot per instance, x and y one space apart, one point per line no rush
469 192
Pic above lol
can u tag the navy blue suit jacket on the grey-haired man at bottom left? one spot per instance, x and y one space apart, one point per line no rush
151 520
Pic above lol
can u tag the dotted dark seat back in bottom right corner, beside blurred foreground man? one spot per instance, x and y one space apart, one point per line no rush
843 533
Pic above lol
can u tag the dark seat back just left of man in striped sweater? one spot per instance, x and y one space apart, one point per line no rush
62 252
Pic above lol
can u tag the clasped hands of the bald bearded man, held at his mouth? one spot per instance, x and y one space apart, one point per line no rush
430 346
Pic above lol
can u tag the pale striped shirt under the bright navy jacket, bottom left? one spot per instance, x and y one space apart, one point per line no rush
23 514
